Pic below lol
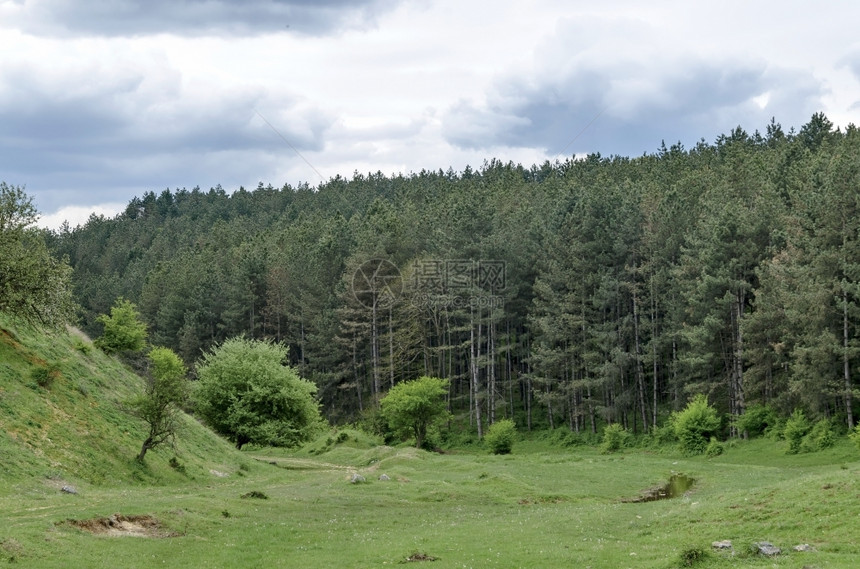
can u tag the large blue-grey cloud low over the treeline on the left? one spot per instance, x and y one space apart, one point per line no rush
101 147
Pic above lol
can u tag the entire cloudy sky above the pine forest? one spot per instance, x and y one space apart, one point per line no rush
102 101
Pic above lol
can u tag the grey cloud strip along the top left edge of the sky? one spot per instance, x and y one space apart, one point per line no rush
196 17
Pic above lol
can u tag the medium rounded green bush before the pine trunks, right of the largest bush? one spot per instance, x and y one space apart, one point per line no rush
412 407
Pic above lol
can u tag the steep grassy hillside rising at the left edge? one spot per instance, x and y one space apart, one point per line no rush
62 419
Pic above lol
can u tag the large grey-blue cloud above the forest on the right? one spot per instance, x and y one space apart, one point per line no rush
632 109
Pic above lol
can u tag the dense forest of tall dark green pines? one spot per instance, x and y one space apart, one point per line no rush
575 293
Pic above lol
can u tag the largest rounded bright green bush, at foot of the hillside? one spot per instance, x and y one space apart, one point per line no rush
246 393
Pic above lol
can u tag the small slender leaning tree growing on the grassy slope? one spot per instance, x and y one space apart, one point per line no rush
160 404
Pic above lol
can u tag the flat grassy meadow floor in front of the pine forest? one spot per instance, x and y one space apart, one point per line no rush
538 507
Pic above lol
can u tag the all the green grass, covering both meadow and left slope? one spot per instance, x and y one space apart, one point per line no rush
543 506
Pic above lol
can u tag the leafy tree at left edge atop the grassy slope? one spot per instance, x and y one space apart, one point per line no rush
34 286
